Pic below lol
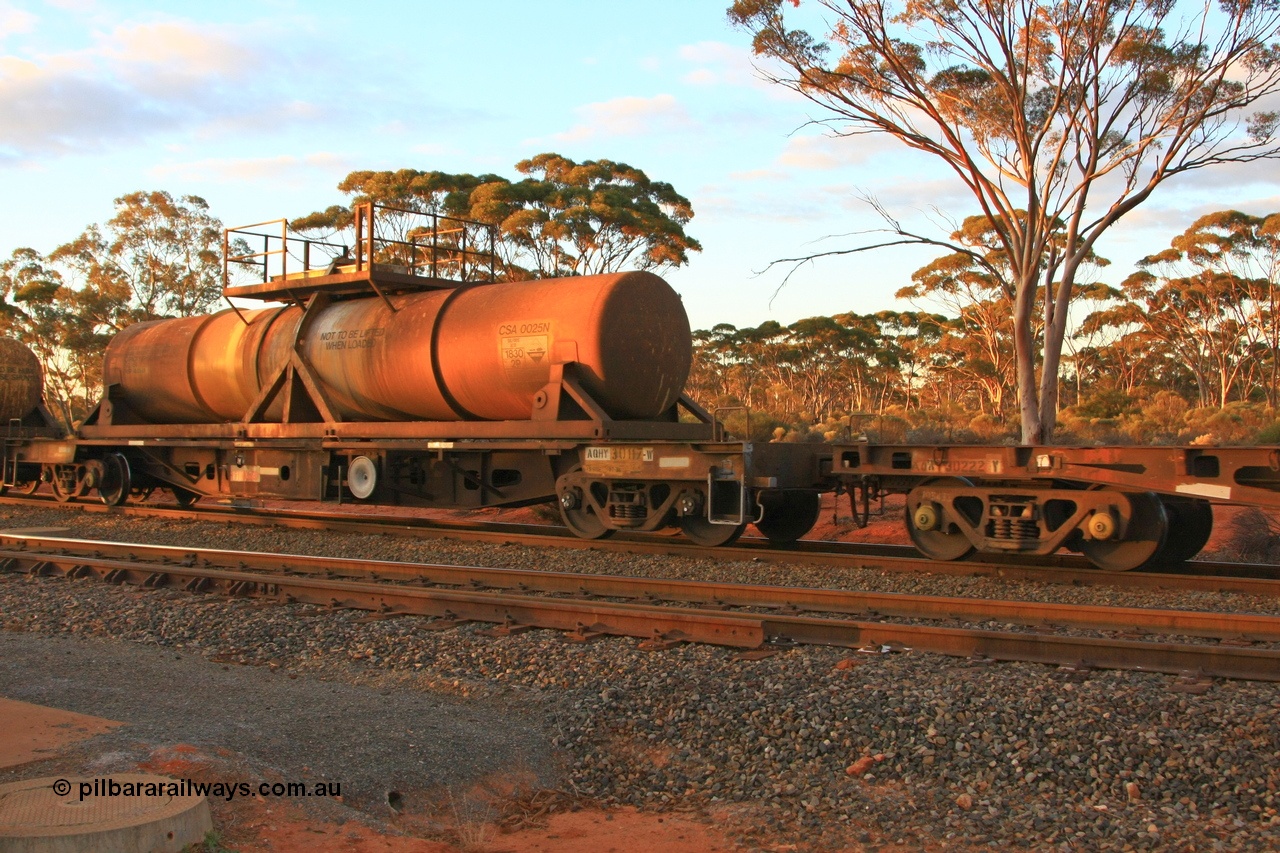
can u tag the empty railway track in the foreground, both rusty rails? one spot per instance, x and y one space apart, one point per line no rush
760 619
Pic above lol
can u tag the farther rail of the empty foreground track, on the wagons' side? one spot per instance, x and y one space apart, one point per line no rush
1208 624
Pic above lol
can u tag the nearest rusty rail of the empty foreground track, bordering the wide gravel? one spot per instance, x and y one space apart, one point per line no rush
589 619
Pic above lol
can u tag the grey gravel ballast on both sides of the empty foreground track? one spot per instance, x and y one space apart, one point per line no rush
817 747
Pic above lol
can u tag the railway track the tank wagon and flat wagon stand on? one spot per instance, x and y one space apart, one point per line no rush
1060 569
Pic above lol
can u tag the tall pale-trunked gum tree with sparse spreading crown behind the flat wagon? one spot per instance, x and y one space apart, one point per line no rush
1055 116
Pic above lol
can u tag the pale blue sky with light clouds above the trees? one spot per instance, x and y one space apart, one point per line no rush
262 108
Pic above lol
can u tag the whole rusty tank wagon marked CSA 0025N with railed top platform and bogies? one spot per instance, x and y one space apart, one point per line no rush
401 376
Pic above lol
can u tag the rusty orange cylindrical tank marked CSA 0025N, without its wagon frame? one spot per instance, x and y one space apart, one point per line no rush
478 353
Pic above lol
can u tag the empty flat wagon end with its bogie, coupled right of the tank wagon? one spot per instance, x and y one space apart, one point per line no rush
1122 508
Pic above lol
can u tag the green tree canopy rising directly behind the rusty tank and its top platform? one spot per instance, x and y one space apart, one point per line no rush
565 218
